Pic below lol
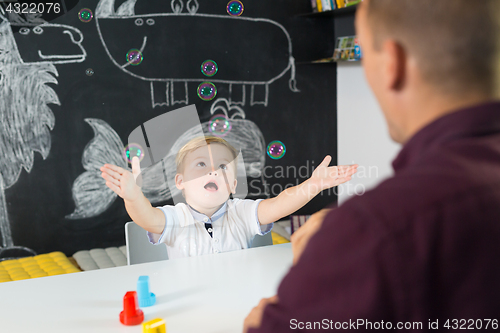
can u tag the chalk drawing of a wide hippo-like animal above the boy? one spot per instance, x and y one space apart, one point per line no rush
174 45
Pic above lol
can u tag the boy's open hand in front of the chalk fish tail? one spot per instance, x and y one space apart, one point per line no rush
122 181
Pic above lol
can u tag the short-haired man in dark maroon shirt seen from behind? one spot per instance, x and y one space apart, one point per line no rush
421 251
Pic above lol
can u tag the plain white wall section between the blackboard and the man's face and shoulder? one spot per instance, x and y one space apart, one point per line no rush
362 132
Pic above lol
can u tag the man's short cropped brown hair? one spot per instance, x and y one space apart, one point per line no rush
455 42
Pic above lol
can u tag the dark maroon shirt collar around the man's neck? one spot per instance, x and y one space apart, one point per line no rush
468 122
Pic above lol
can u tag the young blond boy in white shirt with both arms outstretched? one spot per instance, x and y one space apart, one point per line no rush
210 222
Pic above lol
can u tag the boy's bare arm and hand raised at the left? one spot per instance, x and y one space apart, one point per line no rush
122 182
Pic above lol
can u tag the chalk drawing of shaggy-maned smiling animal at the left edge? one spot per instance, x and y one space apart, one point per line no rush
25 117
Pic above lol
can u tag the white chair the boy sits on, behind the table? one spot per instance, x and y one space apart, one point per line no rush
140 250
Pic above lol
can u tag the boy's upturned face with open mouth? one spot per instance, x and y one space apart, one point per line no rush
208 176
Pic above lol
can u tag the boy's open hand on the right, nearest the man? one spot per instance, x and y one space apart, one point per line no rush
325 177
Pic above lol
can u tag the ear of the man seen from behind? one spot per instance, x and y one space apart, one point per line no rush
395 65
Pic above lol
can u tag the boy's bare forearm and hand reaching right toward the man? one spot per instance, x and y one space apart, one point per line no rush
294 198
